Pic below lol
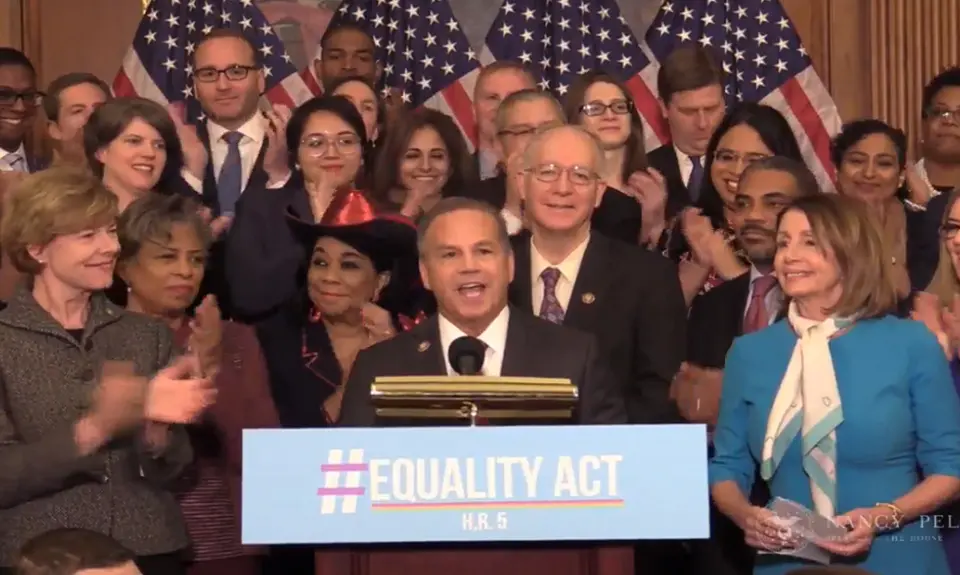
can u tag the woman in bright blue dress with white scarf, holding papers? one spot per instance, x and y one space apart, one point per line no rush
843 406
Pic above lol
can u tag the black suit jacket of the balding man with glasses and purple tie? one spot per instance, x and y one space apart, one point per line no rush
631 300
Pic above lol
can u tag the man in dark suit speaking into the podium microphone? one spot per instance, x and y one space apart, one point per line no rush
467 262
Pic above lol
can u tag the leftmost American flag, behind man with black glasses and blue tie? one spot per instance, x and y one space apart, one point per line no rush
157 65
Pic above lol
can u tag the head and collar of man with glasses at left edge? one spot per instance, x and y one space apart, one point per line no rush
19 99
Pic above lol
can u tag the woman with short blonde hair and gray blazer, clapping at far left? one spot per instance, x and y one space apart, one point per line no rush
85 439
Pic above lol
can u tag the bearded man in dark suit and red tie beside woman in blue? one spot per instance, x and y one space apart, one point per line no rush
742 305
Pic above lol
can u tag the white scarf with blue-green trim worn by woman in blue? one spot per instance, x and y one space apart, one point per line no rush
808 401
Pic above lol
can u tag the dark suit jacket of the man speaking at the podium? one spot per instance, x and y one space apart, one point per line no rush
534 348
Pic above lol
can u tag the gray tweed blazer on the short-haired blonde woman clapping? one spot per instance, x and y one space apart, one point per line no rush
47 378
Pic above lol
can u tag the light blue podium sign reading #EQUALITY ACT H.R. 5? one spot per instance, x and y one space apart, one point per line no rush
440 484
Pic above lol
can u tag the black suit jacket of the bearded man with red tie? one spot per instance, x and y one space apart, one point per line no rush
716 319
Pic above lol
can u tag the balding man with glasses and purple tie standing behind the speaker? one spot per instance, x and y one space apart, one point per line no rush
628 297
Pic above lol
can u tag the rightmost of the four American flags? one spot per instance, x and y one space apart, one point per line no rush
764 61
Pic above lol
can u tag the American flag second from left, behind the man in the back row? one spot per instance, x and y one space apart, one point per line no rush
425 54
